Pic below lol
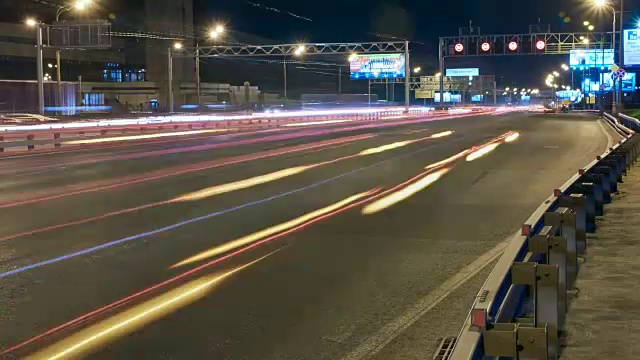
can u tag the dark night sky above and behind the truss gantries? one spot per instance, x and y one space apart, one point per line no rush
420 21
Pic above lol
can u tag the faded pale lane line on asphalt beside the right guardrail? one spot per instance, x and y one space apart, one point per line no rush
376 342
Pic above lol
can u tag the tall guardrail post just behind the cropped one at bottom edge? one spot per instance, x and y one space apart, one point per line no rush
542 280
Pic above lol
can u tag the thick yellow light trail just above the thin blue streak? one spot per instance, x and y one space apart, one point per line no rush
242 184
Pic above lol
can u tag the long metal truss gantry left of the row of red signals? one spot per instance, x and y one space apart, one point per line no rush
287 50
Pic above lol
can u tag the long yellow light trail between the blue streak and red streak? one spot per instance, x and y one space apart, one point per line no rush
257 236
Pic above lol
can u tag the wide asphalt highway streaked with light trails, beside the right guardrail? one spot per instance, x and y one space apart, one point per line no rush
337 241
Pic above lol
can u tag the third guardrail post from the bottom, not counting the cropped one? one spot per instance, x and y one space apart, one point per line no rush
565 221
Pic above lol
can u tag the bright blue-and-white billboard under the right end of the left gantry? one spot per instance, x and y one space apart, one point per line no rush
377 66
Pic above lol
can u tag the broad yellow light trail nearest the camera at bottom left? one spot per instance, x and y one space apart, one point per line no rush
109 330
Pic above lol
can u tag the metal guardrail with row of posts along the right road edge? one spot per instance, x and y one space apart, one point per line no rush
520 310
